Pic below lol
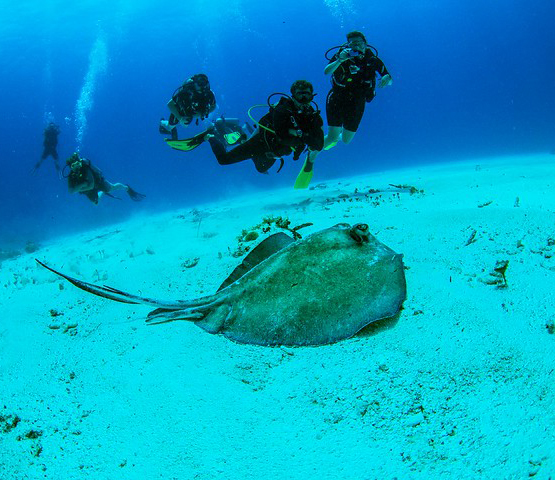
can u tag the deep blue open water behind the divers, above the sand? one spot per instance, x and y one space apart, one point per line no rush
470 80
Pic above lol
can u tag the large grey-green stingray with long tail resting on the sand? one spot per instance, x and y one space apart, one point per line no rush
315 291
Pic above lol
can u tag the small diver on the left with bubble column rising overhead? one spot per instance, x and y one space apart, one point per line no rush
87 179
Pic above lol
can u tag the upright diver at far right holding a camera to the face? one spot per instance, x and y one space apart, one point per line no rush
353 69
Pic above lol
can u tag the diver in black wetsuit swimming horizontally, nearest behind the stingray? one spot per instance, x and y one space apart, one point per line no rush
289 127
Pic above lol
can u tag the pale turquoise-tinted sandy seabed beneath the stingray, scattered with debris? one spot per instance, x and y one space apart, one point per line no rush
461 386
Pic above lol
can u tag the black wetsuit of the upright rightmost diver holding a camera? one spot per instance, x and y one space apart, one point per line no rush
353 84
